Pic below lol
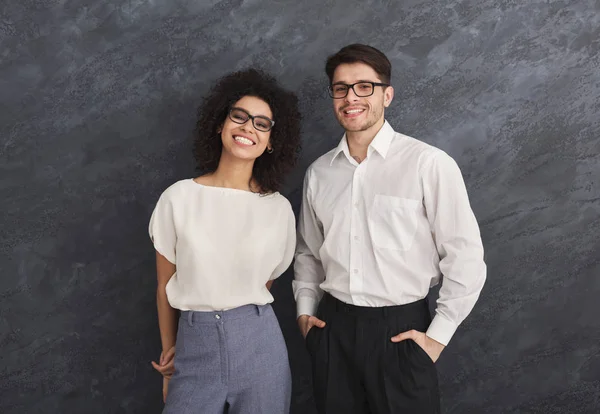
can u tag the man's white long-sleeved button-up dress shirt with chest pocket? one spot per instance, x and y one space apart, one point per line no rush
384 231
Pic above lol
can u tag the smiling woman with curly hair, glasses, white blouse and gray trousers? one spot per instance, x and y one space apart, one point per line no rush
221 239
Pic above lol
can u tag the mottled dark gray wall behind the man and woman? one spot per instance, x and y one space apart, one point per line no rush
97 105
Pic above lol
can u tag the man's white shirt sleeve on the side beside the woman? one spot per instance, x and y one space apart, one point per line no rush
308 269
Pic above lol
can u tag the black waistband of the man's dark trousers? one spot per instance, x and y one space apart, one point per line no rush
409 310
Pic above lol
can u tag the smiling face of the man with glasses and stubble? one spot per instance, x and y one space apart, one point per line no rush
355 113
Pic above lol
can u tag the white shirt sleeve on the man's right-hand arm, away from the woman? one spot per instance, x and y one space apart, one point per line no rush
458 241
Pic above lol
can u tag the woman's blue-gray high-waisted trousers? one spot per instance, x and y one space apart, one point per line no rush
232 361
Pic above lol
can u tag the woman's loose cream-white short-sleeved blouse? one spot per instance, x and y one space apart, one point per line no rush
226 244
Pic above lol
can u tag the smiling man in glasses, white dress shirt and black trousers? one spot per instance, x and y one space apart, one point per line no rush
384 216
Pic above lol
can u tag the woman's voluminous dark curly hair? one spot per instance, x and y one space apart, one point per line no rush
270 169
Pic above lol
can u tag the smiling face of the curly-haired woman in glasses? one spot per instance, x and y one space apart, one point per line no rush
243 138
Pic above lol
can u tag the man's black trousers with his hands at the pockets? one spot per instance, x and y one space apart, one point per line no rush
357 369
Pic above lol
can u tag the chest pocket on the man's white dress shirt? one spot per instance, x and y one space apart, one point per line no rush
393 222
